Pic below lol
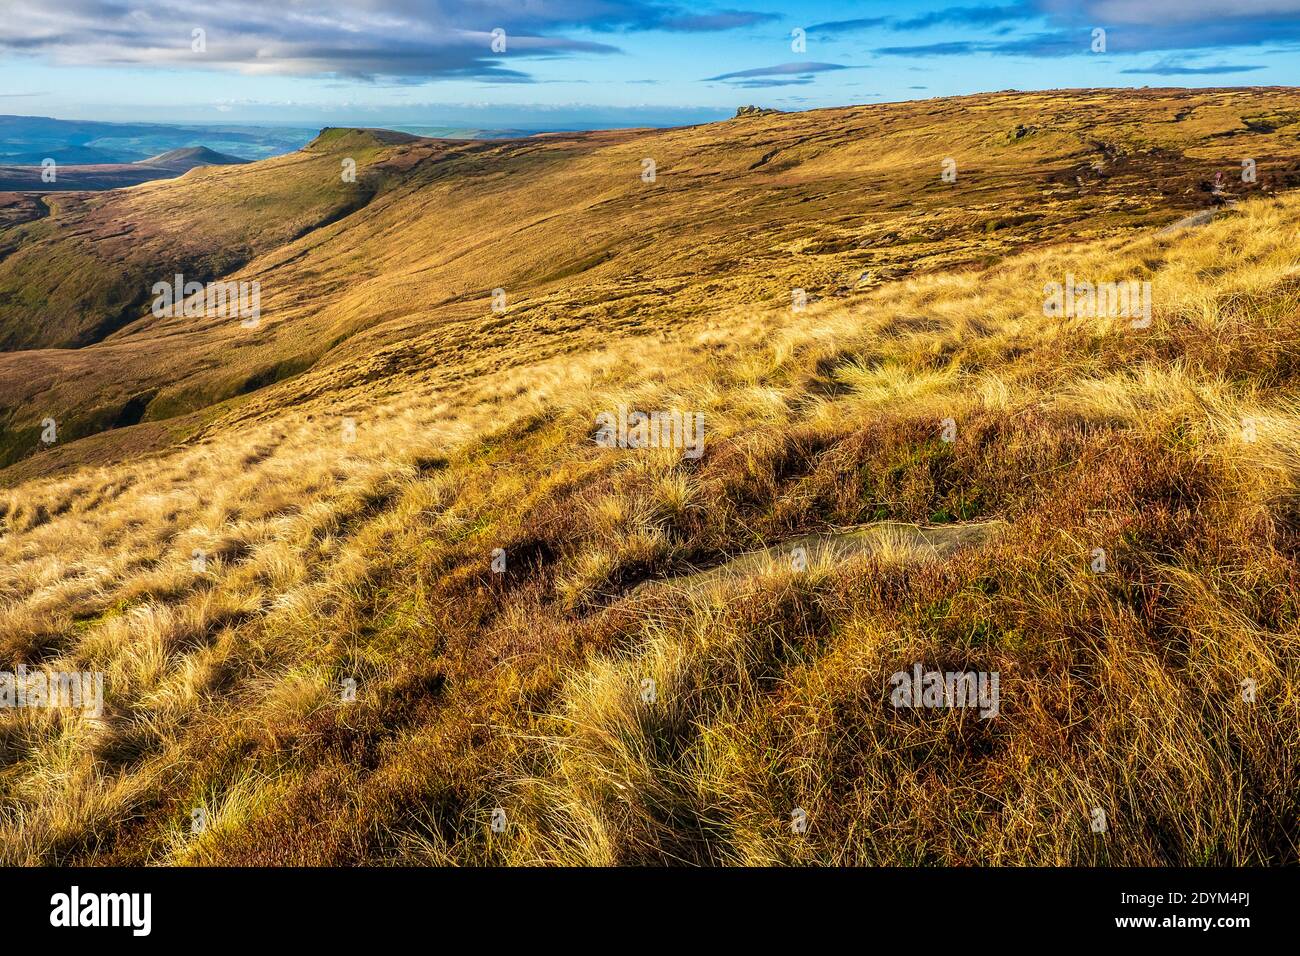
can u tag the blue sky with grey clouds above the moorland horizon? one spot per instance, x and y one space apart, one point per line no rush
604 63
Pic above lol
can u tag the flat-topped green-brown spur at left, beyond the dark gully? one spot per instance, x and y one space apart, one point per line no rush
84 271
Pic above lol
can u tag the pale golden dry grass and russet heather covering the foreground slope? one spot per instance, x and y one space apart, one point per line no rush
1173 448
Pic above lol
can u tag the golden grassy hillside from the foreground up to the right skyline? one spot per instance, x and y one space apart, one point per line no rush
1172 448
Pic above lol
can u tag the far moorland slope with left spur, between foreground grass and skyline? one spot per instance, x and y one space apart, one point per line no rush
582 244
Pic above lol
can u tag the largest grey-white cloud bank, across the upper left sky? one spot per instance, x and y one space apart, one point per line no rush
409 41
